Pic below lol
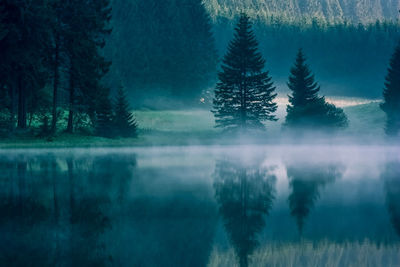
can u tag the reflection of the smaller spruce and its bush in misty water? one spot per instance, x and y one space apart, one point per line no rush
306 182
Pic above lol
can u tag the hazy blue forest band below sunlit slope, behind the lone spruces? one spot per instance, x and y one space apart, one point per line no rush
349 59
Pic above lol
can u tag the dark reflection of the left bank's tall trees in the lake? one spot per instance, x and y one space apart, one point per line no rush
56 209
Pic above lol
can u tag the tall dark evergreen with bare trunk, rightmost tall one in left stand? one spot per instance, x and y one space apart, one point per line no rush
87 65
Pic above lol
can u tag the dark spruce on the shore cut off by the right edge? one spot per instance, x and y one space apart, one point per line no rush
391 95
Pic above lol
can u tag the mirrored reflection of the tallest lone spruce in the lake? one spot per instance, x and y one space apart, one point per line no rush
245 195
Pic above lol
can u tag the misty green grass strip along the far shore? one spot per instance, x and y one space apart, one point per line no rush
196 127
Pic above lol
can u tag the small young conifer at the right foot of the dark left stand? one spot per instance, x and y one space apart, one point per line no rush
124 122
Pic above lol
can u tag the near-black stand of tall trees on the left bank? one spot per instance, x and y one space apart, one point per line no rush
52 68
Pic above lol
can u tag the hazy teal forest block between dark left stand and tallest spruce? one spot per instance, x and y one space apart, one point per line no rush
170 45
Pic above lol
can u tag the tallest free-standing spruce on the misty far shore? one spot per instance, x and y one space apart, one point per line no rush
245 93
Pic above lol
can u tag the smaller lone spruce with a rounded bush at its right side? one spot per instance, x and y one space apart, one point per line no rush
306 108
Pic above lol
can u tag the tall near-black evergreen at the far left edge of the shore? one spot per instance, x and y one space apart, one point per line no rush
22 53
